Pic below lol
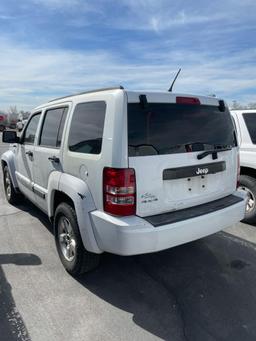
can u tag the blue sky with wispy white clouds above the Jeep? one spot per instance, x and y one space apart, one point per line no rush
51 48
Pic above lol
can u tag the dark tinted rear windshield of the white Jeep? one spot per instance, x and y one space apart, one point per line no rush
168 128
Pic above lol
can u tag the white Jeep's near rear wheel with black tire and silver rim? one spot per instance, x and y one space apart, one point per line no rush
75 259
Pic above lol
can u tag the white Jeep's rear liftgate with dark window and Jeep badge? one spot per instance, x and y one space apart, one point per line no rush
167 136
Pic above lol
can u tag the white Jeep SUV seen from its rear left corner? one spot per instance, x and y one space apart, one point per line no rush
127 172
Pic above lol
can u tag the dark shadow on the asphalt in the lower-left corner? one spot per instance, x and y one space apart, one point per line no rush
12 326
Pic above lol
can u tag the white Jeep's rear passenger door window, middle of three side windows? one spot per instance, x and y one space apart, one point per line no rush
52 130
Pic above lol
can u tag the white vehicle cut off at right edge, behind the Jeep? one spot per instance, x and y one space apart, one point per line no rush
245 121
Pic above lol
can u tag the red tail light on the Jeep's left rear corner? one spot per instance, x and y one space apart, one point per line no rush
119 191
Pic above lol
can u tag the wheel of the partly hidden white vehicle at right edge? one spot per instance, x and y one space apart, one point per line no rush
248 183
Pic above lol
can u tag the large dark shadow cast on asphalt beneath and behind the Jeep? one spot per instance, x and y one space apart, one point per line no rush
199 291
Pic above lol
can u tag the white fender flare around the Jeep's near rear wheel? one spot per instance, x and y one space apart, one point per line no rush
81 196
